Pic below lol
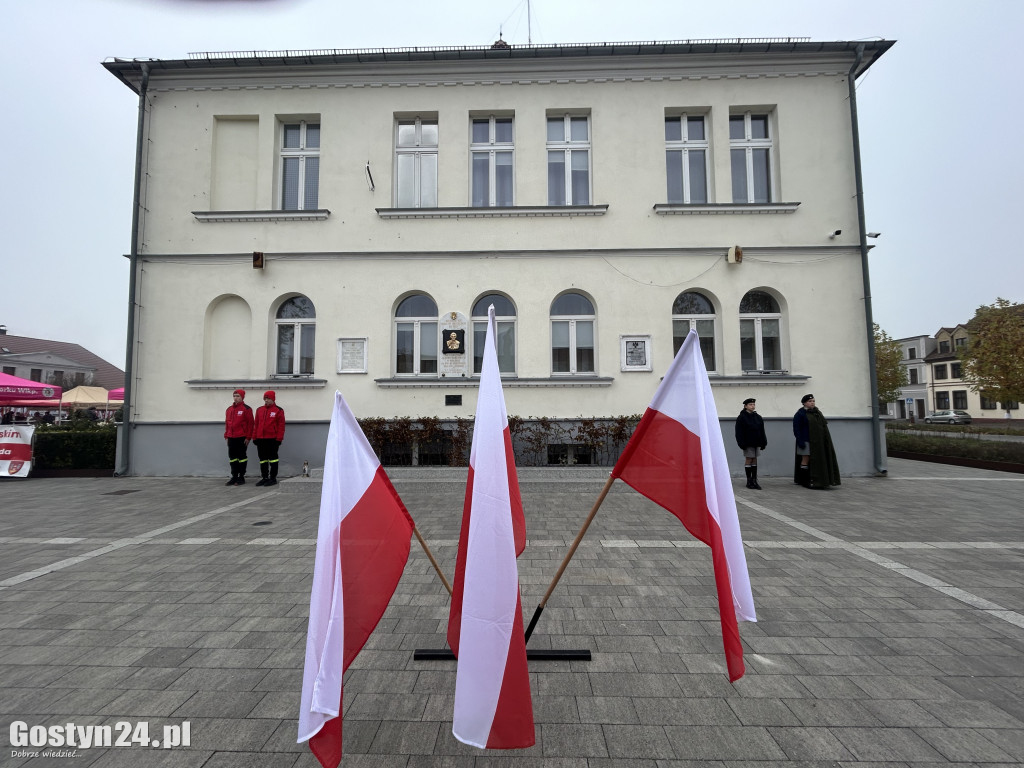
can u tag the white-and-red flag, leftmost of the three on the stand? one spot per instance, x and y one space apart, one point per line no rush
362 549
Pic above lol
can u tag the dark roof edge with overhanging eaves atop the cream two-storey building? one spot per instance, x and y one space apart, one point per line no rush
130 70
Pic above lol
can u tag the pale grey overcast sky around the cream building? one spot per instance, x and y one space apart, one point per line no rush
943 169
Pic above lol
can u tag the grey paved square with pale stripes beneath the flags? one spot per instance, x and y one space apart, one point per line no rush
891 625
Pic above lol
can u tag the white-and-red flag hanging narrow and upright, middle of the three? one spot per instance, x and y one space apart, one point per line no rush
493 705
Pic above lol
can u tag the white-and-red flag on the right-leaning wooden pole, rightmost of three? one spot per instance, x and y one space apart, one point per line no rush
676 458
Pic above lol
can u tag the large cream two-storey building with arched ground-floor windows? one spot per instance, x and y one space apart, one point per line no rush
593 194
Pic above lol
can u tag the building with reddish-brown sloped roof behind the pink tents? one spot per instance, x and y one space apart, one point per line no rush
59 363
